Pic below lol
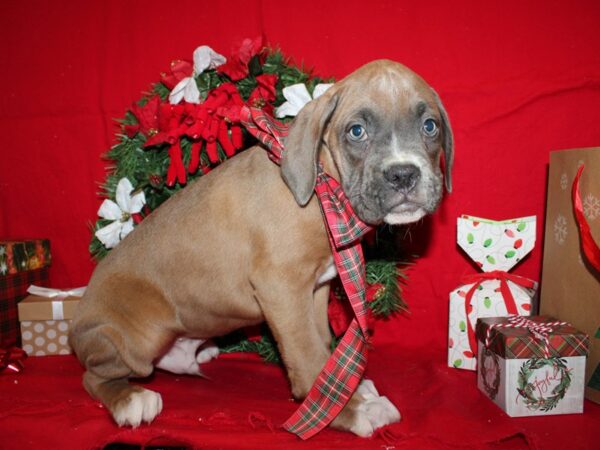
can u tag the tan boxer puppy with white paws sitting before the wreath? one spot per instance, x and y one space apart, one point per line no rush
247 243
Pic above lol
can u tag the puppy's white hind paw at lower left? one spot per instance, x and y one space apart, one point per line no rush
143 405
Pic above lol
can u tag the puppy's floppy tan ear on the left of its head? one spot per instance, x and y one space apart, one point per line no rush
300 157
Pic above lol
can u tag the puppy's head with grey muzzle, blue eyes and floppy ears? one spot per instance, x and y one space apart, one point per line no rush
382 129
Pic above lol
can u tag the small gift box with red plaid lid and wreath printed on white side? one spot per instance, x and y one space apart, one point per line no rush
532 366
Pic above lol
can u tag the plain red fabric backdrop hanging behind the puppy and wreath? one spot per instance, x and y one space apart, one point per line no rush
518 79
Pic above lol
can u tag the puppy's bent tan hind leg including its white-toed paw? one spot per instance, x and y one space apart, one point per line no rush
115 345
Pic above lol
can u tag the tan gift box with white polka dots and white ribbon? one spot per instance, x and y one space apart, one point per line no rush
45 320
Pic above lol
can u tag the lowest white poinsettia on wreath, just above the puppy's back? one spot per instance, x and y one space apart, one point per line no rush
120 213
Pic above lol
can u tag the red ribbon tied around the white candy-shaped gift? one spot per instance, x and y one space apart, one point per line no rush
509 300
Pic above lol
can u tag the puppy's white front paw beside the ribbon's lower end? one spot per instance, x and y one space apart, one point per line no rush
369 412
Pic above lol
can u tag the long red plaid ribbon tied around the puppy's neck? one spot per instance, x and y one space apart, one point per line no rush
344 369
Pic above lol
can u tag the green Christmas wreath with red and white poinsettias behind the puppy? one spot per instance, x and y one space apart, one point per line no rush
186 125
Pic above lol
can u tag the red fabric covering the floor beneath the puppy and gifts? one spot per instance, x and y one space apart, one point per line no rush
245 401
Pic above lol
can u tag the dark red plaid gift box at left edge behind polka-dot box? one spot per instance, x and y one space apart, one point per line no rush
22 262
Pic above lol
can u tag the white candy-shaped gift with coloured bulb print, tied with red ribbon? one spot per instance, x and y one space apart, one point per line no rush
495 247
